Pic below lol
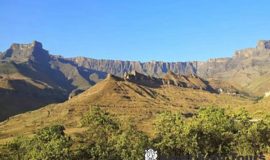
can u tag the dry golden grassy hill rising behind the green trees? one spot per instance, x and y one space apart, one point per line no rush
127 101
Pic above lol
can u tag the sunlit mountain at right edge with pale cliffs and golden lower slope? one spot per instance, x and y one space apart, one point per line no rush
248 69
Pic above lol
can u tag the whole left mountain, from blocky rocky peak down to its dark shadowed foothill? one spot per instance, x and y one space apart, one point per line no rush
30 78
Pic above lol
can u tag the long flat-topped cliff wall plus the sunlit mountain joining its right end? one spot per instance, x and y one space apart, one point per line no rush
248 69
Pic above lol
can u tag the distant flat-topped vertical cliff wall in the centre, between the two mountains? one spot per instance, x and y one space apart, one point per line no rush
154 68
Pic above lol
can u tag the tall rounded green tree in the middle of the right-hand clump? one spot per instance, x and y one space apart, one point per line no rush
212 129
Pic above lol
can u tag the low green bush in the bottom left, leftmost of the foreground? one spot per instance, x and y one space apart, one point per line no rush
49 143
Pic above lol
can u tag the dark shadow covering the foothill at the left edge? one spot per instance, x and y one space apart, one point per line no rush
25 97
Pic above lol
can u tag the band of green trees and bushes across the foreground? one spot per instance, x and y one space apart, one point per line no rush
212 131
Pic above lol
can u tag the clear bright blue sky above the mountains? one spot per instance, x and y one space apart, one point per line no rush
167 30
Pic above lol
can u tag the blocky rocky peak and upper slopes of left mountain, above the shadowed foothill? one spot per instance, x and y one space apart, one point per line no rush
35 62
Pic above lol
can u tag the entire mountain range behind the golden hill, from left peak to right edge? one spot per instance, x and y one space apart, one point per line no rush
31 77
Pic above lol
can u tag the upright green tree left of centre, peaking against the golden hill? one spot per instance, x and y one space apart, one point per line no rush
98 139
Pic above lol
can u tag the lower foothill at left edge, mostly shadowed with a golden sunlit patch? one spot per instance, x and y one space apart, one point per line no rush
20 93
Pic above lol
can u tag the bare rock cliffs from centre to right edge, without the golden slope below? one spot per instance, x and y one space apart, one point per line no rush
245 58
